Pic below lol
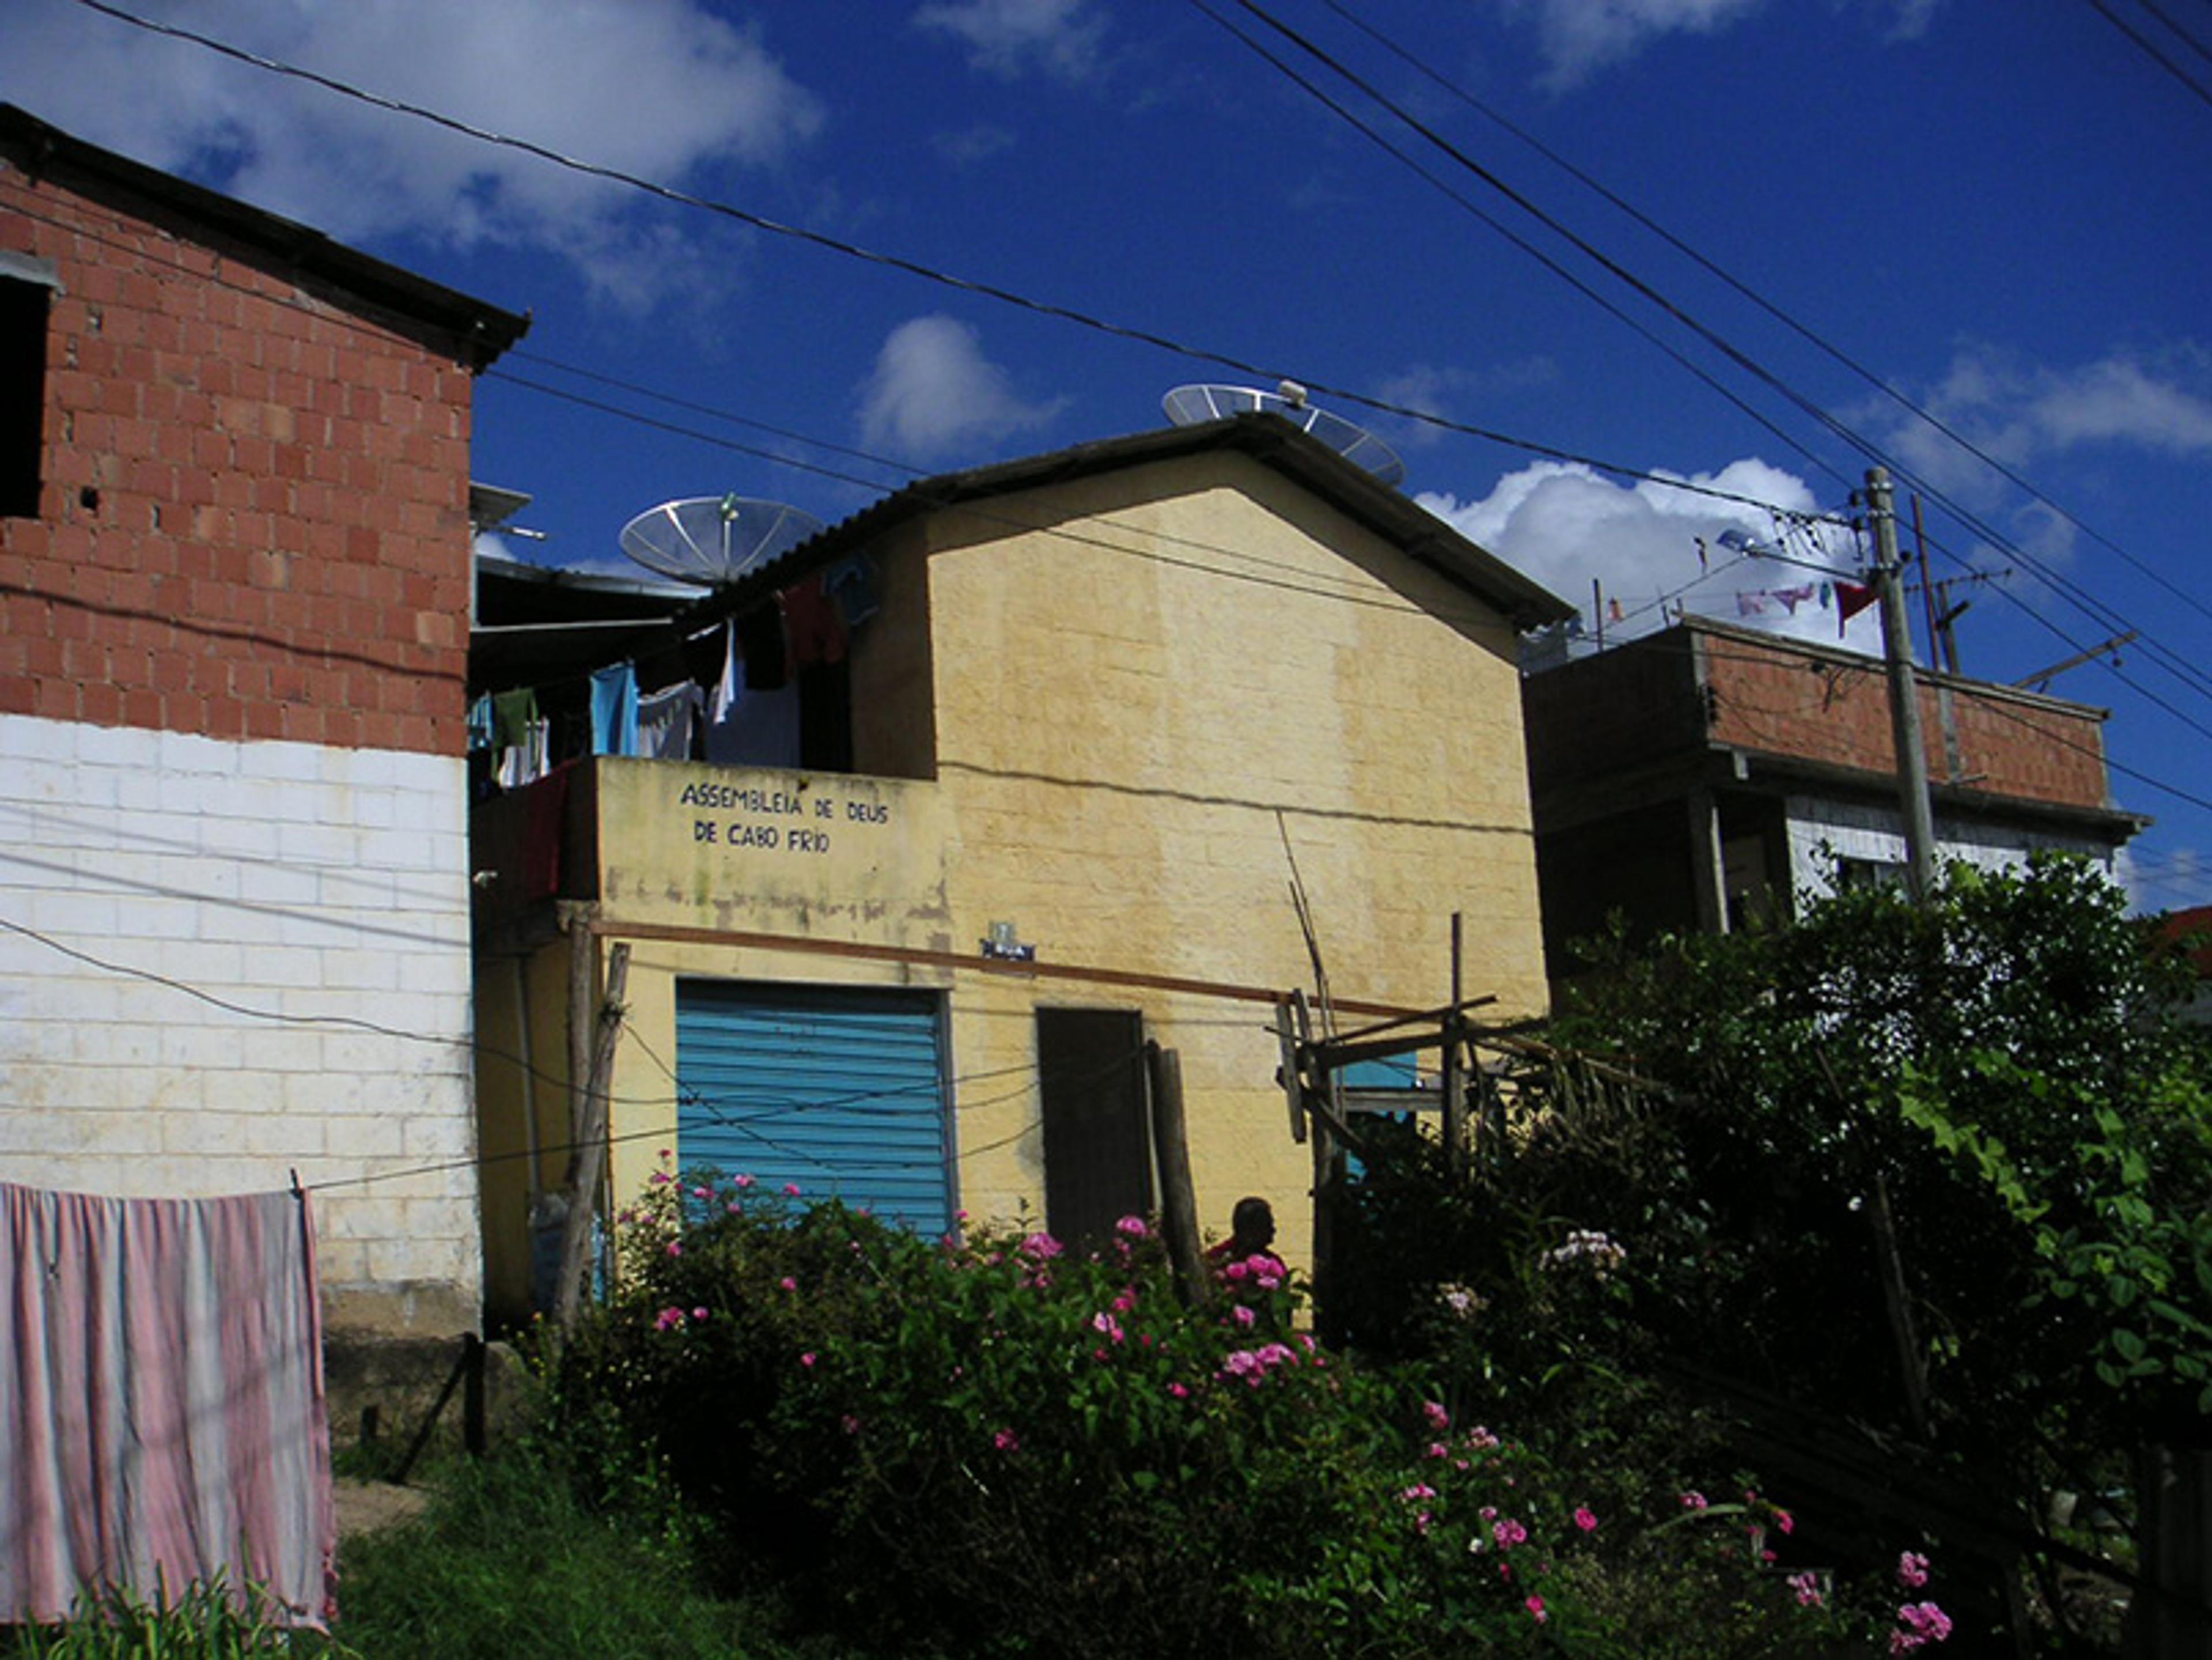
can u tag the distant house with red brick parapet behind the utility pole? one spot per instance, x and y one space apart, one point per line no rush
1709 775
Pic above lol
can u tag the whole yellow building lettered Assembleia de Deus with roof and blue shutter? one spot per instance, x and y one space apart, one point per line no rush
1056 786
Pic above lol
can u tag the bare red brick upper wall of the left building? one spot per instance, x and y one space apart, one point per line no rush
253 518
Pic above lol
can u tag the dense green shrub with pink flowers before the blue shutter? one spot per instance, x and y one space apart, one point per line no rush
1001 1444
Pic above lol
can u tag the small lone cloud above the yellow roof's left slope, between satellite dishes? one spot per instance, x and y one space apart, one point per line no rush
935 395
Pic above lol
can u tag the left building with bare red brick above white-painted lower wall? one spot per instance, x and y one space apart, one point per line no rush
233 662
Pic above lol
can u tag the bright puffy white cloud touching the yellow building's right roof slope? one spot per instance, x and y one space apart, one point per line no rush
1569 527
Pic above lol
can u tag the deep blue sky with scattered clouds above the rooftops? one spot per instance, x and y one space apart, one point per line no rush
1987 213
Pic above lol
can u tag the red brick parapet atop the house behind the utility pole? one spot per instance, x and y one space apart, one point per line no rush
1835 708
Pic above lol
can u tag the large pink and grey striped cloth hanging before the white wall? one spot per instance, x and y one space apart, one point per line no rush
163 1414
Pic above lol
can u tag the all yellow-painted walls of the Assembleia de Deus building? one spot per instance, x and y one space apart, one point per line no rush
1107 704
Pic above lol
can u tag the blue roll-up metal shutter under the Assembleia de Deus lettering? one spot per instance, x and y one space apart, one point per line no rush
837 1089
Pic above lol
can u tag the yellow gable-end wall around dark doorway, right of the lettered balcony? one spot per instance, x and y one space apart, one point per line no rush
1136 702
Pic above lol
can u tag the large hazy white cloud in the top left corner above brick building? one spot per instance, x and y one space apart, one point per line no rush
649 87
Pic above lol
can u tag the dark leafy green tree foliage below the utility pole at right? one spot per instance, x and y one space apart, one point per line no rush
1934 1177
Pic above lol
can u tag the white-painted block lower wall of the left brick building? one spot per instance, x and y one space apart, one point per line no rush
227 963
